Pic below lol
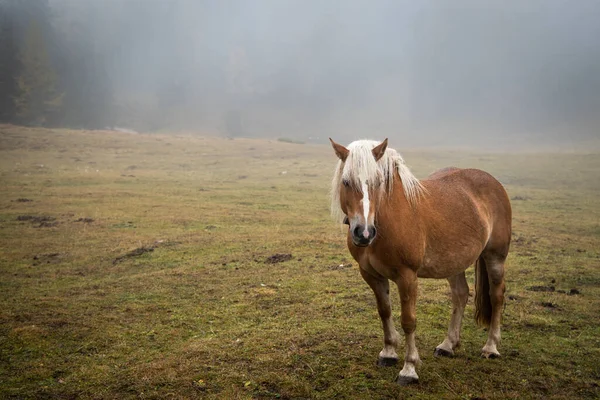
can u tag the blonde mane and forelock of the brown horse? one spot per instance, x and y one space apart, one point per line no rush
360 165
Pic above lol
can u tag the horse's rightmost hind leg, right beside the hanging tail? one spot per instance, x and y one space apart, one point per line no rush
495 270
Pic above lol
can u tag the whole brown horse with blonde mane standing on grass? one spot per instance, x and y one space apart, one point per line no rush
401 228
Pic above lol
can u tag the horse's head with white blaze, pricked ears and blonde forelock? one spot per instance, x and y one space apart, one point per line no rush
357 187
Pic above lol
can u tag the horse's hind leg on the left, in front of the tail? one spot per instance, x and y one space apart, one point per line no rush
460 295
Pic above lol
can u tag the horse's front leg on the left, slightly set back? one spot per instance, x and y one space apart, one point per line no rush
381 288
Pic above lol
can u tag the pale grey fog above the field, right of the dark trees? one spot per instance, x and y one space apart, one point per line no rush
494 74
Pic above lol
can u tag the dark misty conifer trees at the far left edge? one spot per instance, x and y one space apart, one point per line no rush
50 72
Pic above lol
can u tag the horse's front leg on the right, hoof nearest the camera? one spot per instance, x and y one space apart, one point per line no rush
407 286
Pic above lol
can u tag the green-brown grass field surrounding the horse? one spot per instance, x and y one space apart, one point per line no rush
137 266
